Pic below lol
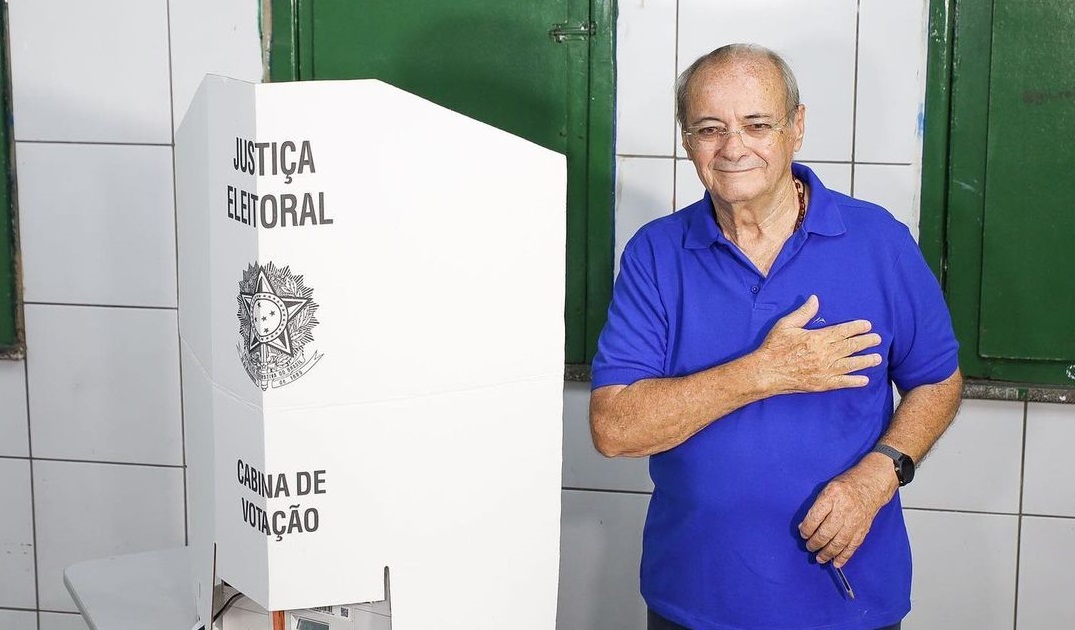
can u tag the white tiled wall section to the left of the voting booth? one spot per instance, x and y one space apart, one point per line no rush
91 425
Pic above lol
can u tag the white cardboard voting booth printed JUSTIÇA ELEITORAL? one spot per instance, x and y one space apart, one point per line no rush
371 322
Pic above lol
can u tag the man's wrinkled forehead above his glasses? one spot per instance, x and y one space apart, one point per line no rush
744 82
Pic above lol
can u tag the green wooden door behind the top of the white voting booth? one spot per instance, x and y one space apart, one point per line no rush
522 66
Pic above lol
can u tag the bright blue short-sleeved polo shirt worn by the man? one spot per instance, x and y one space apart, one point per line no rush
721 547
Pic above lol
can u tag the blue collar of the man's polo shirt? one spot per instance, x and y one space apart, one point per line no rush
823 217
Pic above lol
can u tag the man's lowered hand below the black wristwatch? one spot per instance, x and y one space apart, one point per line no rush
839 521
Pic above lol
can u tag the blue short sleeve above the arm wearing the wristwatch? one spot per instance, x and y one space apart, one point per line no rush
925 350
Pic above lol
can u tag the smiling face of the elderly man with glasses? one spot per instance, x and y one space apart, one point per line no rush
743 95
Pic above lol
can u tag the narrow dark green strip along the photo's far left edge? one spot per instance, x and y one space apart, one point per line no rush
11 333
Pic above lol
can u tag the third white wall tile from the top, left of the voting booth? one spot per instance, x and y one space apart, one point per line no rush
128 412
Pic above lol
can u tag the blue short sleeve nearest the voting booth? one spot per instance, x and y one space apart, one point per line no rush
634 342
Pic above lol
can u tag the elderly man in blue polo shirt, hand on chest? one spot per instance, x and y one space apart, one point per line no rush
751 351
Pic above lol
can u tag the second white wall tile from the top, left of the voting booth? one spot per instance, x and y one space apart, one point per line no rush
112 221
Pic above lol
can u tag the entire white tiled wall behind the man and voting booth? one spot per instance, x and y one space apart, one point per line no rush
98 90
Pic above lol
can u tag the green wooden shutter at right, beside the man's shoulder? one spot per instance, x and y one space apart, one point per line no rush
998 193
